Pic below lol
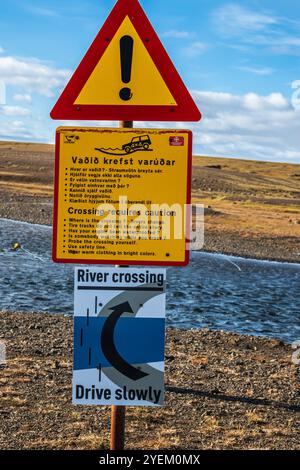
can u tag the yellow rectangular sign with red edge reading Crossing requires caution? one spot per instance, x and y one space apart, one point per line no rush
121 196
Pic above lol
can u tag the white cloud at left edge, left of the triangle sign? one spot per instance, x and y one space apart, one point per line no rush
32 75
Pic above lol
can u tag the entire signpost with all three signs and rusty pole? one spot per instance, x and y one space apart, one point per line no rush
126 74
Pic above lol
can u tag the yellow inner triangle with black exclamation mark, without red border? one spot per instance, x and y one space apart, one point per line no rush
145 83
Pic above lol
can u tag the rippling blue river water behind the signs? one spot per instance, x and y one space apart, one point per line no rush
214 291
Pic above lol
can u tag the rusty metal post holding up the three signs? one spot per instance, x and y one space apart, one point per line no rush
118 413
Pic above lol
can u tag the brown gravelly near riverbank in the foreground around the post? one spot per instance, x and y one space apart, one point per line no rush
224 391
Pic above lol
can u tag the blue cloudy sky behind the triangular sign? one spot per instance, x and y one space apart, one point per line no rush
239 59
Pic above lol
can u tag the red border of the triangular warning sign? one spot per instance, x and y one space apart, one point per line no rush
186 109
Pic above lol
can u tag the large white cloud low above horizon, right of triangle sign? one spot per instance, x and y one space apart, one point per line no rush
247 126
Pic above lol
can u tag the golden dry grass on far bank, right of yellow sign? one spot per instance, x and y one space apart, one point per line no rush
254 199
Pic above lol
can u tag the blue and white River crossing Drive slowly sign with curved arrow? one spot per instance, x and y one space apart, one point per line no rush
119 336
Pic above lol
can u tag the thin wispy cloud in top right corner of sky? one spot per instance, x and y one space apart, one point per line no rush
277 34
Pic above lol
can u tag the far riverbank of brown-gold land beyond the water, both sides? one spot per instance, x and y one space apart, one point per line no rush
252 208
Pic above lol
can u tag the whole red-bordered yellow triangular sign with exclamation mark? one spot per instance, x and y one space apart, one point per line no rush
126 75
